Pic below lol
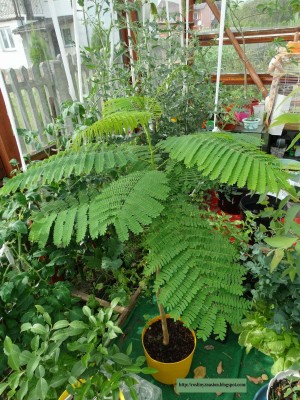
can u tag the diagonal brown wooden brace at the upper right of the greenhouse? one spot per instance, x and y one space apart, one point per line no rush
239 51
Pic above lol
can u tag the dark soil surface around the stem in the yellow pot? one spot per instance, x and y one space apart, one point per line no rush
180 346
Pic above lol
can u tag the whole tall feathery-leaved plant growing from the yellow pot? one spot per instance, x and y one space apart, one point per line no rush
195 273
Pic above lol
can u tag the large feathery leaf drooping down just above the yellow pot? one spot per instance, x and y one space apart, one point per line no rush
199 279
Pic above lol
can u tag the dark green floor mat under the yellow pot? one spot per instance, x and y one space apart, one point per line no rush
236 363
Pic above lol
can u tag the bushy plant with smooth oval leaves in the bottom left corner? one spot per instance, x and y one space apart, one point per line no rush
64 352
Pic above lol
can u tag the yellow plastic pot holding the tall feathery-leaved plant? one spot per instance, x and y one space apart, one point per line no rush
169 372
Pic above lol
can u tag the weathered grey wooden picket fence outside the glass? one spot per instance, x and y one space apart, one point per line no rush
36 94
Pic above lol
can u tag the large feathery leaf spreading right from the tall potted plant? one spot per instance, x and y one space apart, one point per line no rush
229 159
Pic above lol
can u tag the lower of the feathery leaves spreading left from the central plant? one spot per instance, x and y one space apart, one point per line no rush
129 203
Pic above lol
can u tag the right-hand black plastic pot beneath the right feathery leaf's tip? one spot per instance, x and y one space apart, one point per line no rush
250 203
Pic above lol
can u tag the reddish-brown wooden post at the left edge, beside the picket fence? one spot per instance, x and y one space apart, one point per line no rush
8 144
